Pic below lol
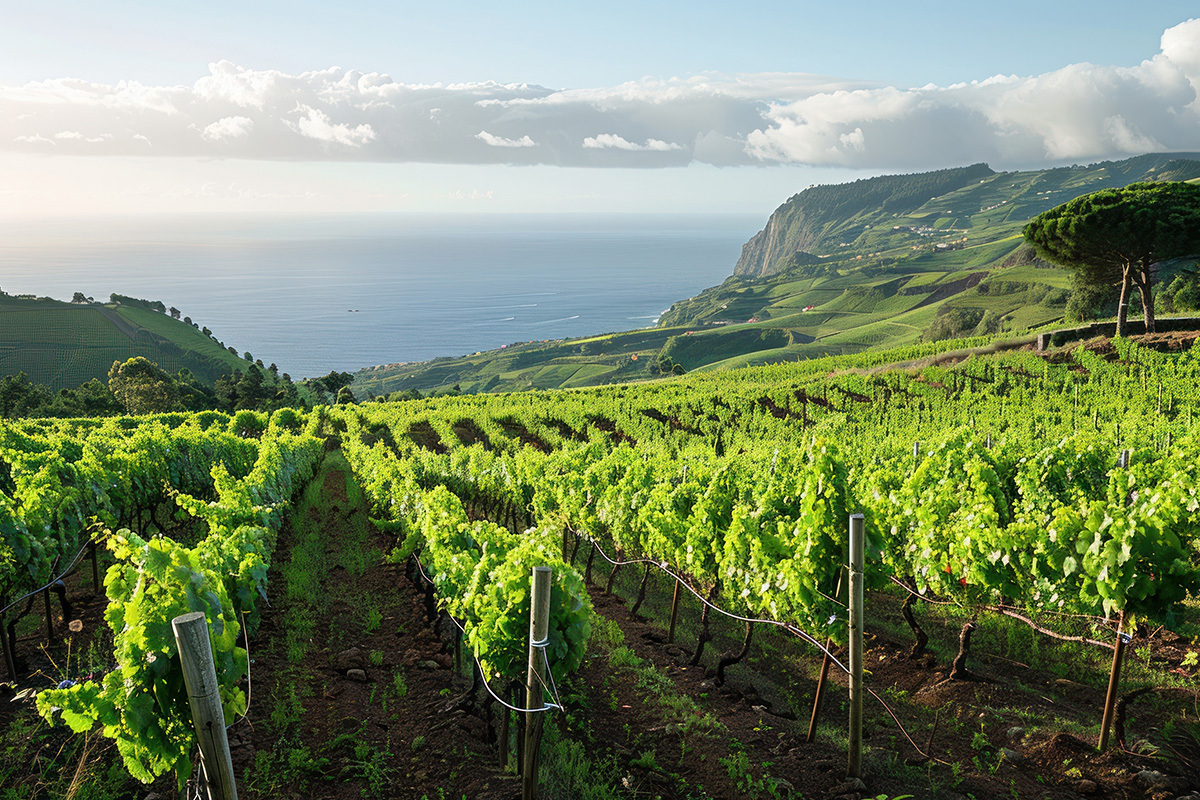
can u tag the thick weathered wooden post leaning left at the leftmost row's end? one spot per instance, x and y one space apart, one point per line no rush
201 678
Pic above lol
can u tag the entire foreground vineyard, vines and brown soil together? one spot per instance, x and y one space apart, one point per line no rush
1031 527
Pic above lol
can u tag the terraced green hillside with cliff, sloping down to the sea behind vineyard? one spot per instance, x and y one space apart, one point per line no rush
884 262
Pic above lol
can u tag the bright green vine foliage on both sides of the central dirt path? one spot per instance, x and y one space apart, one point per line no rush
989 483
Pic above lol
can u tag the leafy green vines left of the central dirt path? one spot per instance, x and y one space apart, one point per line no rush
217 480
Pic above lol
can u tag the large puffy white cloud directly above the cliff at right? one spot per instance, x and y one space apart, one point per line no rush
1082 111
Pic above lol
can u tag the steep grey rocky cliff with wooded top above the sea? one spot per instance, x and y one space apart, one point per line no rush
817 219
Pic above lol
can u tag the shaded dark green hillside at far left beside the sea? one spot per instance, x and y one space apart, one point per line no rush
62 345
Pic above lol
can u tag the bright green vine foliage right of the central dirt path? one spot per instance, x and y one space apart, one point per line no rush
993 484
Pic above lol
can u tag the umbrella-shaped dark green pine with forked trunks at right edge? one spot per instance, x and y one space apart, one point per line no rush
1118 236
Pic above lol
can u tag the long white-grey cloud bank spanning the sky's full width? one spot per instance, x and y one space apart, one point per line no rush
1079 112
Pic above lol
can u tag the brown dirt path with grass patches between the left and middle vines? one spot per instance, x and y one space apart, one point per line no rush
355 694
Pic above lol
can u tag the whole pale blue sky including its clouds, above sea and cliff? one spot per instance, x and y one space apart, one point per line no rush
124 107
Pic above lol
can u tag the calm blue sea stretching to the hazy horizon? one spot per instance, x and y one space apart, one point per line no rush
343 293
